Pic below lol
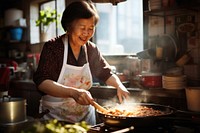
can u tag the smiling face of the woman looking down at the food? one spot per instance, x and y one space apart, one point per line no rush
82 31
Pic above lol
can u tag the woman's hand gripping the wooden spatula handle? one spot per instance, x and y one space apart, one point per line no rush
82 97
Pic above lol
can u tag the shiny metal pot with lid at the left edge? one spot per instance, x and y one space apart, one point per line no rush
13 110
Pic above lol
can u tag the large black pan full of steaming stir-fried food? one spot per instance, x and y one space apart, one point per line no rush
136 114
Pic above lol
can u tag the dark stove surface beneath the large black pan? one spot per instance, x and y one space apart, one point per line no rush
187 122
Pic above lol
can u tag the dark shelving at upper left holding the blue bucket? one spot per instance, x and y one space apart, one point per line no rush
12 49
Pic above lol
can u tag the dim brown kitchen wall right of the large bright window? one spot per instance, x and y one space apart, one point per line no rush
183 25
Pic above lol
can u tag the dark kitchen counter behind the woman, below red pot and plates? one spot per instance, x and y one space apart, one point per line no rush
174 98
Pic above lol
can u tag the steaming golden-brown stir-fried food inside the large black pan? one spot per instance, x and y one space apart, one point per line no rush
137 111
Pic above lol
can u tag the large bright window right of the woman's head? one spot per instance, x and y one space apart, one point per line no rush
120 29
